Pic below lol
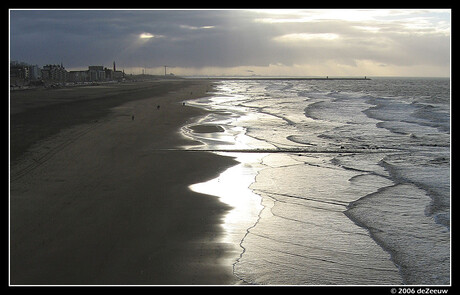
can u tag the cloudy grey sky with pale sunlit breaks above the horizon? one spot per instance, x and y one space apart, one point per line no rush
271 42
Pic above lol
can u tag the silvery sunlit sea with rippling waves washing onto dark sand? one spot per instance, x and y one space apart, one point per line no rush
340 182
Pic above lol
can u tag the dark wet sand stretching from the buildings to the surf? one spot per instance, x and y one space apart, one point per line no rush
96 198
